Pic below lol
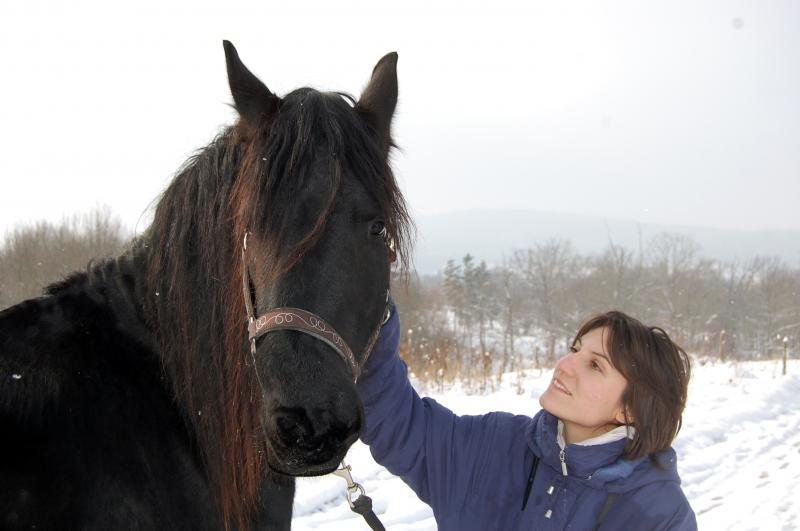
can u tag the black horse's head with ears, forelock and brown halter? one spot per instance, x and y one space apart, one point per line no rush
317 212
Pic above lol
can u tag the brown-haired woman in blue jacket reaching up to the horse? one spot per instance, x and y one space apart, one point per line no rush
596 456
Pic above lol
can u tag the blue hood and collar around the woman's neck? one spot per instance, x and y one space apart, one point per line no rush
600 466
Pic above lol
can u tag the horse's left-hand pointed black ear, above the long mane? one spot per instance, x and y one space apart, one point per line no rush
252 98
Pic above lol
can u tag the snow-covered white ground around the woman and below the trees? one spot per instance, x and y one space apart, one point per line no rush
739 454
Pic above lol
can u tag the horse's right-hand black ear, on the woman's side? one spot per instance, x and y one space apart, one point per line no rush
379 99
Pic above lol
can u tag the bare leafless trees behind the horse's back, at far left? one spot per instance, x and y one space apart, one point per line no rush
33 256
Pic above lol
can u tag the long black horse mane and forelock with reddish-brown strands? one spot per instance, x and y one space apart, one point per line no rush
243 181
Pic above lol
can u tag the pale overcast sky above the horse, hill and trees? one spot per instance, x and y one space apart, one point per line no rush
666 112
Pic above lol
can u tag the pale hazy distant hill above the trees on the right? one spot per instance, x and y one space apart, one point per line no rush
491 234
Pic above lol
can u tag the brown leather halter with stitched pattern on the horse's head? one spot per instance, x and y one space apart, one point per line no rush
286 318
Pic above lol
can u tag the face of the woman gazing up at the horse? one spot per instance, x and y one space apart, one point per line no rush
586 390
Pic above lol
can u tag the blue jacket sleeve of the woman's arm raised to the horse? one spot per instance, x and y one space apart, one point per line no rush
443 457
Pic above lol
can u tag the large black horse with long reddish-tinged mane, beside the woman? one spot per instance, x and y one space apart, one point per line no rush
131 396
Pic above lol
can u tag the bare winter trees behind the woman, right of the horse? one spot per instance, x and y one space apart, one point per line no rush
473 323
